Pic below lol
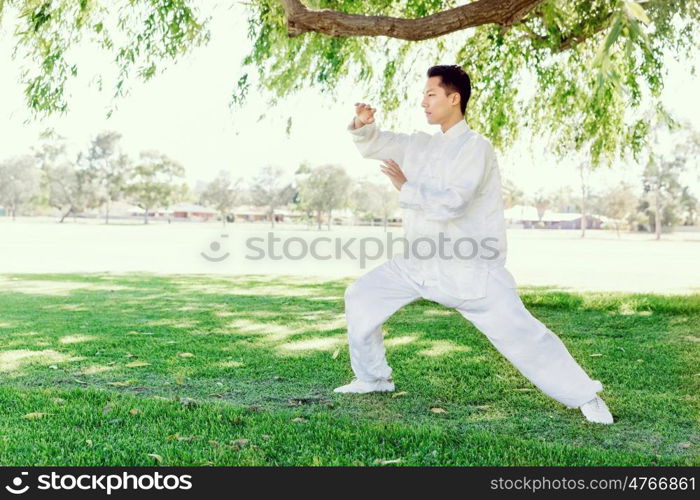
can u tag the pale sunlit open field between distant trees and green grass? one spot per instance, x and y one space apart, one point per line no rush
601 261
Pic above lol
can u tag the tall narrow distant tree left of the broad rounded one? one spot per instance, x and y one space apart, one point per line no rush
109 167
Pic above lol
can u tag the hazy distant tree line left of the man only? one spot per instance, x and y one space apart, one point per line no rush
102 174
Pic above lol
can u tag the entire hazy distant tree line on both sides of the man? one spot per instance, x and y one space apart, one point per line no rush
103 174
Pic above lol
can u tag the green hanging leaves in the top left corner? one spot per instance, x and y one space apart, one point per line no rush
135 34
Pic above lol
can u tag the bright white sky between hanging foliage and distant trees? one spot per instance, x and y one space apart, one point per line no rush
185 113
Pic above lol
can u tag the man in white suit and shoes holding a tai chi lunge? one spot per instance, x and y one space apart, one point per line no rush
454 250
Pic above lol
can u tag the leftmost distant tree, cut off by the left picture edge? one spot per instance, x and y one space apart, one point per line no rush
19 183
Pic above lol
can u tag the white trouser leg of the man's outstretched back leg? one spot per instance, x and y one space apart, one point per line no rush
529 345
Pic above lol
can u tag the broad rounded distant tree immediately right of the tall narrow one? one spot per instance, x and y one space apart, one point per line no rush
156 181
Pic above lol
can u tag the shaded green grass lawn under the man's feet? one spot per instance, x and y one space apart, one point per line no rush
267 352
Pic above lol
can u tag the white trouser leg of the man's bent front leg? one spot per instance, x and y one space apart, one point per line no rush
369 302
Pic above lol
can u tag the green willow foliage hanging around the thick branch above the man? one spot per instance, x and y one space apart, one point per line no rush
590 62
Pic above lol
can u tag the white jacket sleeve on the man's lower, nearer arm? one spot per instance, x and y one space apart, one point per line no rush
451 201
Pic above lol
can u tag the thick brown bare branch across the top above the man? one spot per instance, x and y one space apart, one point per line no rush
301 19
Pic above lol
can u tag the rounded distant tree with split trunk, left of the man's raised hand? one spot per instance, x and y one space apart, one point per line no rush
323 189
